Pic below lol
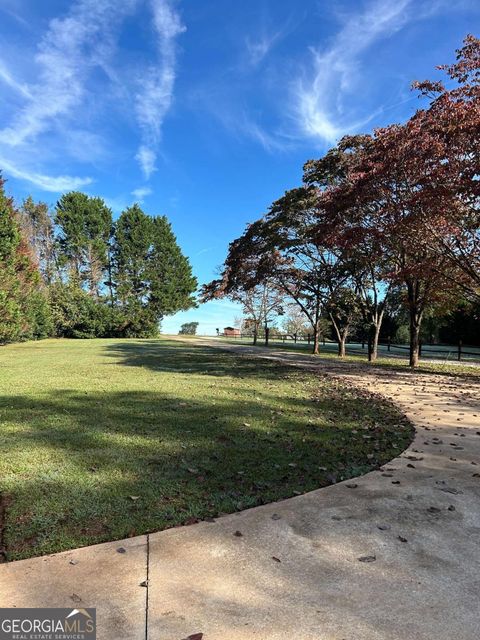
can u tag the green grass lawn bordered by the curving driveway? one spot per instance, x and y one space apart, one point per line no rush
104 439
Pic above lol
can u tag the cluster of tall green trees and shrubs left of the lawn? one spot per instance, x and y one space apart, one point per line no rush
75 273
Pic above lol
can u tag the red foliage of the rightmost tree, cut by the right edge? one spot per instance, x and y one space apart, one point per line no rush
450 130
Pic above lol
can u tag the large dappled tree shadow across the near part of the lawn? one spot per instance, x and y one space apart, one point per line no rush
82 468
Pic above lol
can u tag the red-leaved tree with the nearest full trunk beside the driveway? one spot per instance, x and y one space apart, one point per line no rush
388 194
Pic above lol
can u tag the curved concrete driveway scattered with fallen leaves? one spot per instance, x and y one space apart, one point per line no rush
295 572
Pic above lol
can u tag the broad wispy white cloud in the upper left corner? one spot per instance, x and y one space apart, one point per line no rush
70 49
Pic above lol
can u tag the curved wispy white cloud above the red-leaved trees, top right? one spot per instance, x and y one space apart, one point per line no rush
318 96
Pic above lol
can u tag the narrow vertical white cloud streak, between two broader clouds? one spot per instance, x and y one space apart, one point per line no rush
155 97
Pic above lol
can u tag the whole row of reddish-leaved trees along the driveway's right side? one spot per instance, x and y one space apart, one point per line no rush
385 228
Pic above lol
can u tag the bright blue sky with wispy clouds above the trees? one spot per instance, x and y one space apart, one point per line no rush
204 110
